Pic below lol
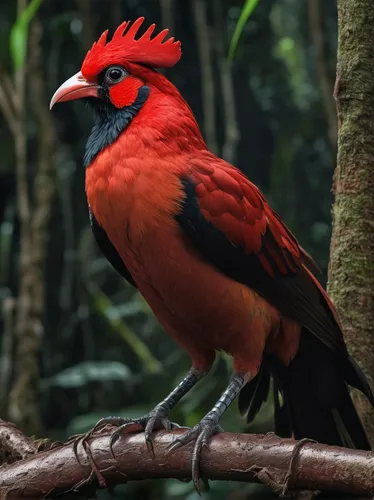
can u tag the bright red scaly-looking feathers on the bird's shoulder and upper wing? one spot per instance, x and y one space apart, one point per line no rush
236 207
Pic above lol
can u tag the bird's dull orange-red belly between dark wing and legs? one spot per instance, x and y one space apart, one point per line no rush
202 309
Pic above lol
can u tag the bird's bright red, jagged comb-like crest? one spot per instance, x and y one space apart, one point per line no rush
123 47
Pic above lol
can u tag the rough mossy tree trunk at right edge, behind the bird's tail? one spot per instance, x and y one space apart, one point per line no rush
351 269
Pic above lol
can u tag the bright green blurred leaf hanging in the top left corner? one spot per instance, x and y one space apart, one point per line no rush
18 34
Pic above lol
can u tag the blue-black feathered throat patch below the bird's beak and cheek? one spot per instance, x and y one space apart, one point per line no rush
110 122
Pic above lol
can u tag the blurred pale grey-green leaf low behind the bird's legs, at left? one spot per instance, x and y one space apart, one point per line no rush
88 371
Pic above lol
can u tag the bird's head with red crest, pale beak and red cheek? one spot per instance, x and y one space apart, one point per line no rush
114 71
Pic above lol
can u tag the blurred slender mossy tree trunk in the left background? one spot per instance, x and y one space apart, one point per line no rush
23 408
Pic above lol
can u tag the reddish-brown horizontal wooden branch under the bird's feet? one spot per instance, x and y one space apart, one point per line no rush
239 457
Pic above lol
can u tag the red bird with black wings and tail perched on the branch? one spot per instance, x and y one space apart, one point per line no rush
217 265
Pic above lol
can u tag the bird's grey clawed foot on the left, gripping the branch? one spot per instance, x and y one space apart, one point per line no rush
155 419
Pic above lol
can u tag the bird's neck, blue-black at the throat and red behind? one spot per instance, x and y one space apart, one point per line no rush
165 121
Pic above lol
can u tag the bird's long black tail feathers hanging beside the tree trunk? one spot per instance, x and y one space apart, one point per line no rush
311 397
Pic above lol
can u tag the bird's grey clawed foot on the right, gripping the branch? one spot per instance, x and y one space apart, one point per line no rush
202 432
